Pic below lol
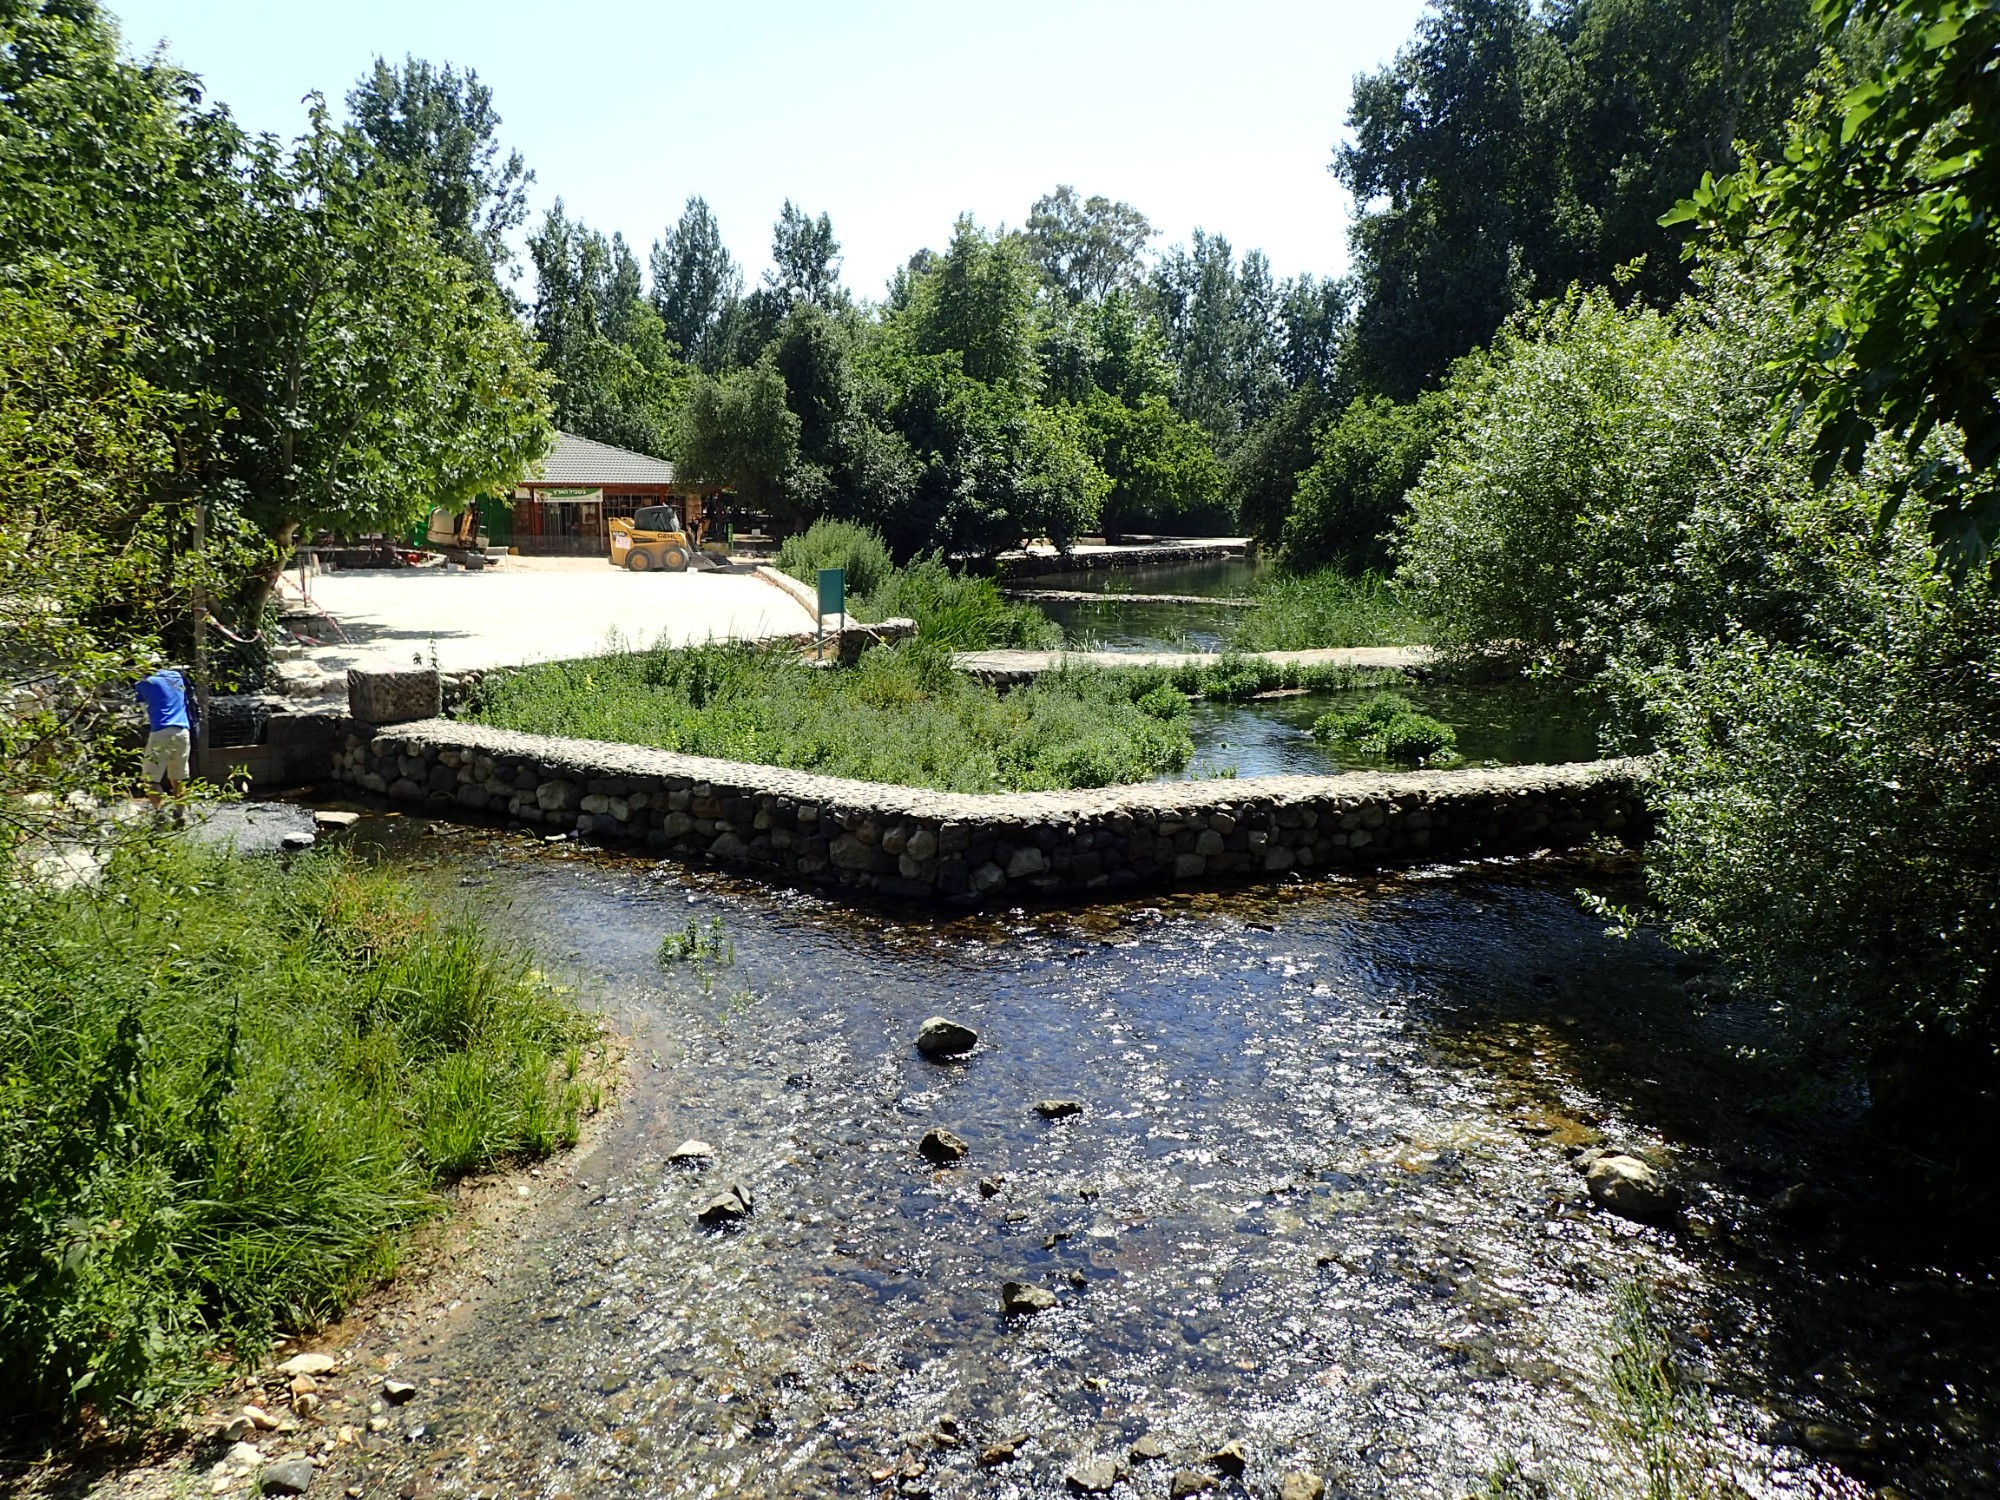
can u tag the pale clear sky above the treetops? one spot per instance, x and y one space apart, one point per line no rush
893 117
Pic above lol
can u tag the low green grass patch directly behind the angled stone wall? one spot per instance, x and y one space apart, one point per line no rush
897 717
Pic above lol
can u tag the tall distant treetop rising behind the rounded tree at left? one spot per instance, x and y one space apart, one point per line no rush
441 125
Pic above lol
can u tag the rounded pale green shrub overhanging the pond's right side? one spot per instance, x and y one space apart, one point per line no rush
1609 489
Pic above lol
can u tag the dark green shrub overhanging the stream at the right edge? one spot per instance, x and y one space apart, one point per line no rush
1829 819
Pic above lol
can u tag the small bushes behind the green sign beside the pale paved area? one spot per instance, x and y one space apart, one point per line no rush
951 611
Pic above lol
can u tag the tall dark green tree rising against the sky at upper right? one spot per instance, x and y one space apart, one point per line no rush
1513 151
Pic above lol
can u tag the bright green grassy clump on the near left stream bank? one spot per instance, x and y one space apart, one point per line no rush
225 1089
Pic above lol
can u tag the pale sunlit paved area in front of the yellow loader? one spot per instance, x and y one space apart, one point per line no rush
527 611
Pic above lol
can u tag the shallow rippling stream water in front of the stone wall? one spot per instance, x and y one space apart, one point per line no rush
1319 1199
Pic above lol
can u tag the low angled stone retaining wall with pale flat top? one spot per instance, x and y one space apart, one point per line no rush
987 849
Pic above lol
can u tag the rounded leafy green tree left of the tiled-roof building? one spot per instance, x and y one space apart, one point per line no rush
363 375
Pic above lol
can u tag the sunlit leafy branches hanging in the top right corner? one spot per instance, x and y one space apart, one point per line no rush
1887 205
